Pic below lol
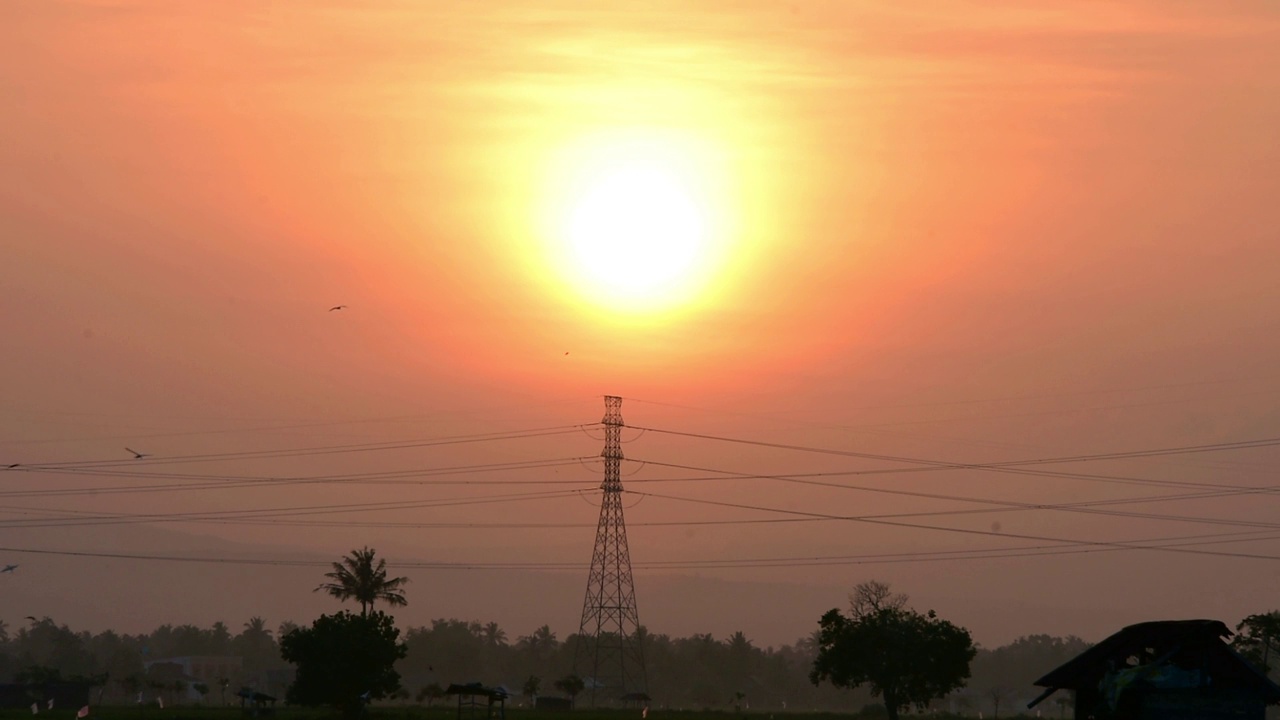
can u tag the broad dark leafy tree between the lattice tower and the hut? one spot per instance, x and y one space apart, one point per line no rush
904 657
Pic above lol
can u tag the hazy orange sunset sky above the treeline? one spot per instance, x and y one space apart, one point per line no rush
880 243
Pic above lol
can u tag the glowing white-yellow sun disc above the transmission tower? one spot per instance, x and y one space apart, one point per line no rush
636 225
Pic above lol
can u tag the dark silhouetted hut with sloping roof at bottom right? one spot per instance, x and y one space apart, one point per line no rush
1164 671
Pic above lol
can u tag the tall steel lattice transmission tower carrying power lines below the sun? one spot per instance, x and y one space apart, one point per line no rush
609 655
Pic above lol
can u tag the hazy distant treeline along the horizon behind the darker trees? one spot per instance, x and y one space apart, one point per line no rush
694 673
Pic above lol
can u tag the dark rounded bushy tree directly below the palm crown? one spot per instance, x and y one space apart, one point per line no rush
344 660
